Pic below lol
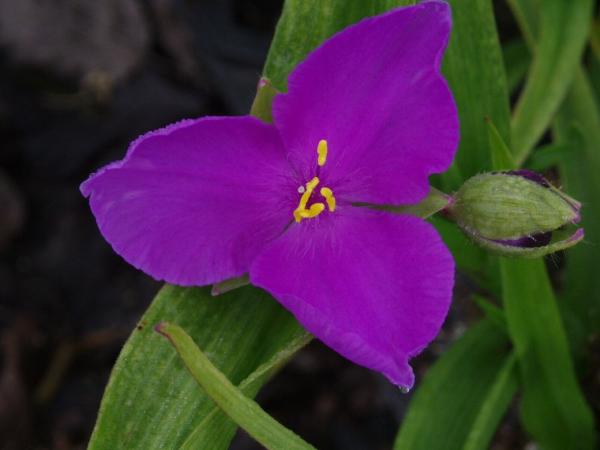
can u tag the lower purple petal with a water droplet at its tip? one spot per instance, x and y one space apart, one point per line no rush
375 287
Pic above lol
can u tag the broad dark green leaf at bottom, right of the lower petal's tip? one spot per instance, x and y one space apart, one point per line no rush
467 386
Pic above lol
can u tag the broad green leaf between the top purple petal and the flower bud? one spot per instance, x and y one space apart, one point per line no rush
474 68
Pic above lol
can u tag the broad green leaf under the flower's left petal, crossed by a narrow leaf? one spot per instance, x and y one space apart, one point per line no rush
151 402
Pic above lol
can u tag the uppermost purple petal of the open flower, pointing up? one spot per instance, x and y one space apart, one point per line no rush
375 93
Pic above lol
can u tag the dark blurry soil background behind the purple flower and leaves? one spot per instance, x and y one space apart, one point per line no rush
78 81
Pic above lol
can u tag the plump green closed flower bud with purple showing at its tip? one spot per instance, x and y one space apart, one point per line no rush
516 213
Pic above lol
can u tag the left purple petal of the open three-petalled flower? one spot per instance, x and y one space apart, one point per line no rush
194 203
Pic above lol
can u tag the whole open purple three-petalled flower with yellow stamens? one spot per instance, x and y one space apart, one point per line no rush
366 120
